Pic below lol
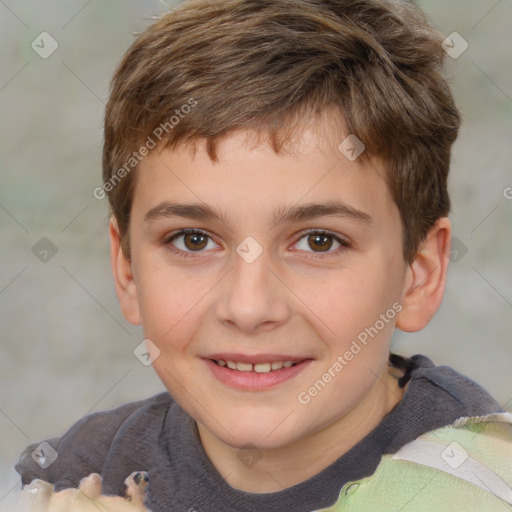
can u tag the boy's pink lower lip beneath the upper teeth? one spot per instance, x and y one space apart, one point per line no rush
254 381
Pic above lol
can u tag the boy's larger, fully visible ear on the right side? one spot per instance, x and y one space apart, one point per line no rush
426 279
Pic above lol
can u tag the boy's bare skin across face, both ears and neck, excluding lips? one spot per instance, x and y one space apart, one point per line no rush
295 298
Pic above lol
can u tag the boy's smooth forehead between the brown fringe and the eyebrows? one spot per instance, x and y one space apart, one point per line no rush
251 181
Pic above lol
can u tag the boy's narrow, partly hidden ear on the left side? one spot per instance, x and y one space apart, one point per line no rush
123 277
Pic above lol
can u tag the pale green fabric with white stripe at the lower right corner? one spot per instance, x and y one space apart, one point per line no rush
466 465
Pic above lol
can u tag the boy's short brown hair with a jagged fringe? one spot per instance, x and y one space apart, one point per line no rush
266 65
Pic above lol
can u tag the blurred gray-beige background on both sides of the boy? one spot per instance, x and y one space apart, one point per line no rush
65 348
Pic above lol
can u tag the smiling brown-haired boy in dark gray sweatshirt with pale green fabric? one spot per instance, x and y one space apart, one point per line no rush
277 177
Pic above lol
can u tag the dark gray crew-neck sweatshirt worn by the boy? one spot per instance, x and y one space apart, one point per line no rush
156 435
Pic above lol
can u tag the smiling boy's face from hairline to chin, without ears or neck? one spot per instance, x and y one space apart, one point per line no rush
265 291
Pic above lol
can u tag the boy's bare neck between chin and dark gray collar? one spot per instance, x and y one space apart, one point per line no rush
281 468
